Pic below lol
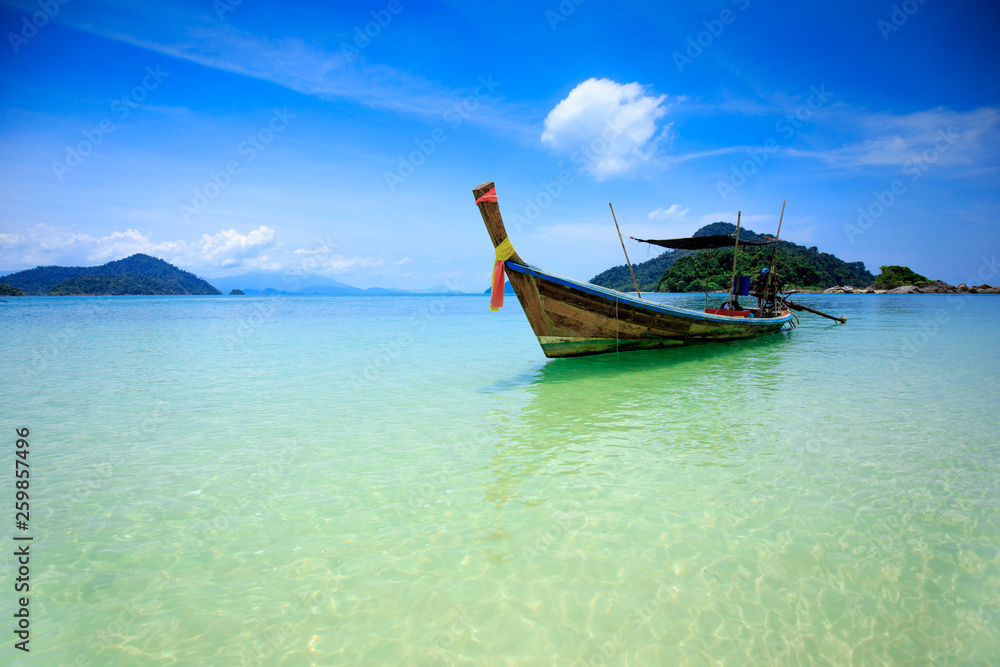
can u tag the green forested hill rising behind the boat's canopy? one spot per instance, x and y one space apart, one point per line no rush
700 270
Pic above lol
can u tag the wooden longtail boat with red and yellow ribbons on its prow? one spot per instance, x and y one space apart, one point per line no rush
572 318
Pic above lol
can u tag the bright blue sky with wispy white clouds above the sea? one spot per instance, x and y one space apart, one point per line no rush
241 136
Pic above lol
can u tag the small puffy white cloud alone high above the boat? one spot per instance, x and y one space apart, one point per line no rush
613 126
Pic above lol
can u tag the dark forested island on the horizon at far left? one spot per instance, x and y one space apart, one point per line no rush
136 275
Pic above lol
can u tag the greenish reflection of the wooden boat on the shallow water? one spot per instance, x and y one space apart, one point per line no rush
596 431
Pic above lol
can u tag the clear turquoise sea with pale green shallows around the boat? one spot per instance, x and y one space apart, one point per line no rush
408 481
